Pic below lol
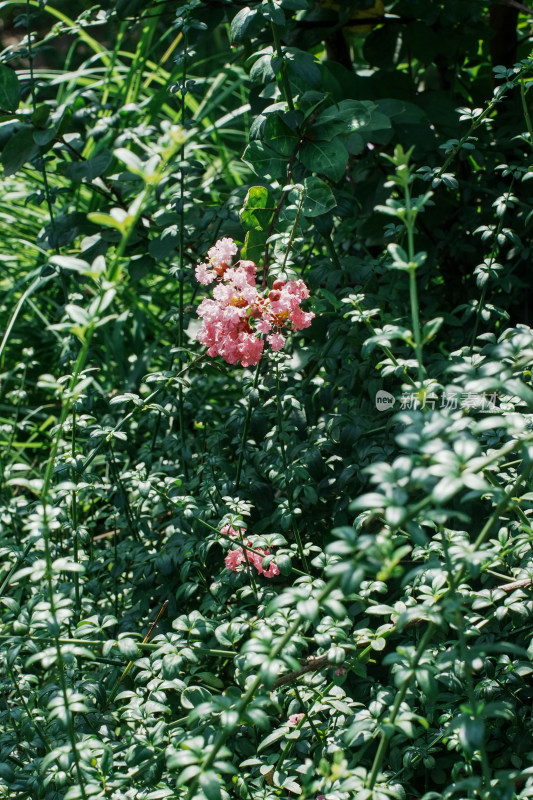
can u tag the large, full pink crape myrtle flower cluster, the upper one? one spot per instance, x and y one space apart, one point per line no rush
239 317
